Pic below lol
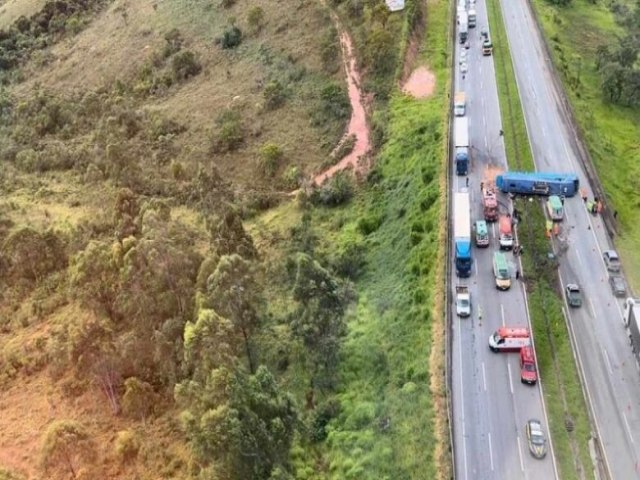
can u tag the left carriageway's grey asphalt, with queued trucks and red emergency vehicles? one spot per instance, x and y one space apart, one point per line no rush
490 404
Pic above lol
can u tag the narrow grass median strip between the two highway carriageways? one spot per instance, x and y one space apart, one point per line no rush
563 395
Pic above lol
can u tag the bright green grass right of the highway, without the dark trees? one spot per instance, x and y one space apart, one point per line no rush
611 132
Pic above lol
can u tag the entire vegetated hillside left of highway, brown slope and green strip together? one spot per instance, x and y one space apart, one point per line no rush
163 337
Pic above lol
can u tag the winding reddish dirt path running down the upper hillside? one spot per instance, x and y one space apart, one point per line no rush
357 159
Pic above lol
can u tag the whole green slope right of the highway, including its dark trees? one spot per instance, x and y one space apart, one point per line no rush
594 46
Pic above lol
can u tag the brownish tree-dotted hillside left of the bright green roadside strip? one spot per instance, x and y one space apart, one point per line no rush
145 330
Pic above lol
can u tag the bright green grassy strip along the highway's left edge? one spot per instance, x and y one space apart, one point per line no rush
386 370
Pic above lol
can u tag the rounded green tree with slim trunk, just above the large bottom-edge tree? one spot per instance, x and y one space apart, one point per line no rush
233 293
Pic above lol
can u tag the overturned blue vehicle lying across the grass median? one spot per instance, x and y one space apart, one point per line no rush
535 183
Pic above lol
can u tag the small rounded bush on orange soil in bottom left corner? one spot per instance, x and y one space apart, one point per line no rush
66 445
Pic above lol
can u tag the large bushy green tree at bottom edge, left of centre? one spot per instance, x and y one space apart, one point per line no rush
247 431
